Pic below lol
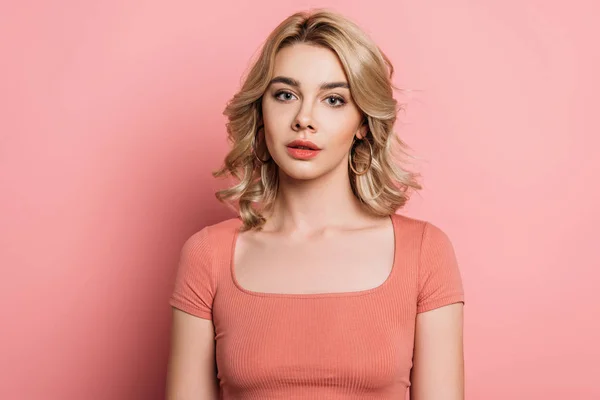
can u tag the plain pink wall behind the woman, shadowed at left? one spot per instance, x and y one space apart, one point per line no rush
110 123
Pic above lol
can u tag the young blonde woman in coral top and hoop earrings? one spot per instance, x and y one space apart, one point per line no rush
319 290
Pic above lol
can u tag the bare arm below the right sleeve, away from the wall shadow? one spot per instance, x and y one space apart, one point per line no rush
438 361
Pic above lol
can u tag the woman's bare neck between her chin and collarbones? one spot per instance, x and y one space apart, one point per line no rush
308 206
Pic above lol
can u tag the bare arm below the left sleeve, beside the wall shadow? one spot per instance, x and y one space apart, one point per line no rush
191 371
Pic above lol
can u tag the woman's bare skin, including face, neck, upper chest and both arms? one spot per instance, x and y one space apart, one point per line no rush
318 227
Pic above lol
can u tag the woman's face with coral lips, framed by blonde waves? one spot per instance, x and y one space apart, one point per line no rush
308 105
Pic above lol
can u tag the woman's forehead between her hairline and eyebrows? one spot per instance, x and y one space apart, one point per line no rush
311 65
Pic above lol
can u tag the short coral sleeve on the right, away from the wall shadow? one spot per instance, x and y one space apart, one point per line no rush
440 281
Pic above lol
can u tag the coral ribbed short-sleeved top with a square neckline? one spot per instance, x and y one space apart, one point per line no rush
351 345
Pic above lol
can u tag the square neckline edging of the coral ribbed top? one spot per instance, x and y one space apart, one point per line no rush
353 293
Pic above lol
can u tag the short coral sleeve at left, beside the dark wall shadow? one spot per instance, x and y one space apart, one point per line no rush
194 282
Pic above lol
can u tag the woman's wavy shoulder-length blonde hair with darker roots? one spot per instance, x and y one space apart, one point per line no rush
384 188
